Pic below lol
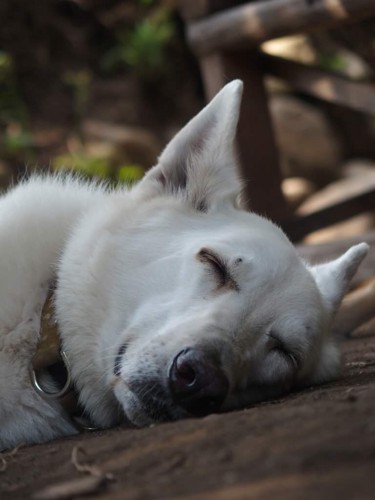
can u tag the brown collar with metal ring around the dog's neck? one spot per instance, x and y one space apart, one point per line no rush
50 359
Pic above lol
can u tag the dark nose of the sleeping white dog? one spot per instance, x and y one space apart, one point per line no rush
196 383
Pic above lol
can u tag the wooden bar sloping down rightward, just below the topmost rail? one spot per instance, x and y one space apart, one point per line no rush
323 84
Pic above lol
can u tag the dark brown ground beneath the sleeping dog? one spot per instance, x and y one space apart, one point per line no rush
317 443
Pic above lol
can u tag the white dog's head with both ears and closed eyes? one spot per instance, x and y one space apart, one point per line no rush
211 308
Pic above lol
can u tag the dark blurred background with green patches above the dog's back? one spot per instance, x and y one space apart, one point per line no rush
97 86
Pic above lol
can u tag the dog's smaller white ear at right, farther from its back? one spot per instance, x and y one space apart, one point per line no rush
333 278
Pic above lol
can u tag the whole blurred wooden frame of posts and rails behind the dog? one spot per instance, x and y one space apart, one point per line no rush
226 37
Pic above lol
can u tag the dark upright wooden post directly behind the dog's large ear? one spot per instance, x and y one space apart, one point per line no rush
257 151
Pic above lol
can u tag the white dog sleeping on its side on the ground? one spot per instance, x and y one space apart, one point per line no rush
170 301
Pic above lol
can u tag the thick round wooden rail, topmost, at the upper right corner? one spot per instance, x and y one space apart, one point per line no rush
256 22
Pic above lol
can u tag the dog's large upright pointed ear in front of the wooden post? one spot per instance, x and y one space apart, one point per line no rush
199 163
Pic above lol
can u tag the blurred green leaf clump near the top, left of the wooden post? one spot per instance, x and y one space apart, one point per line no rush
143 49
